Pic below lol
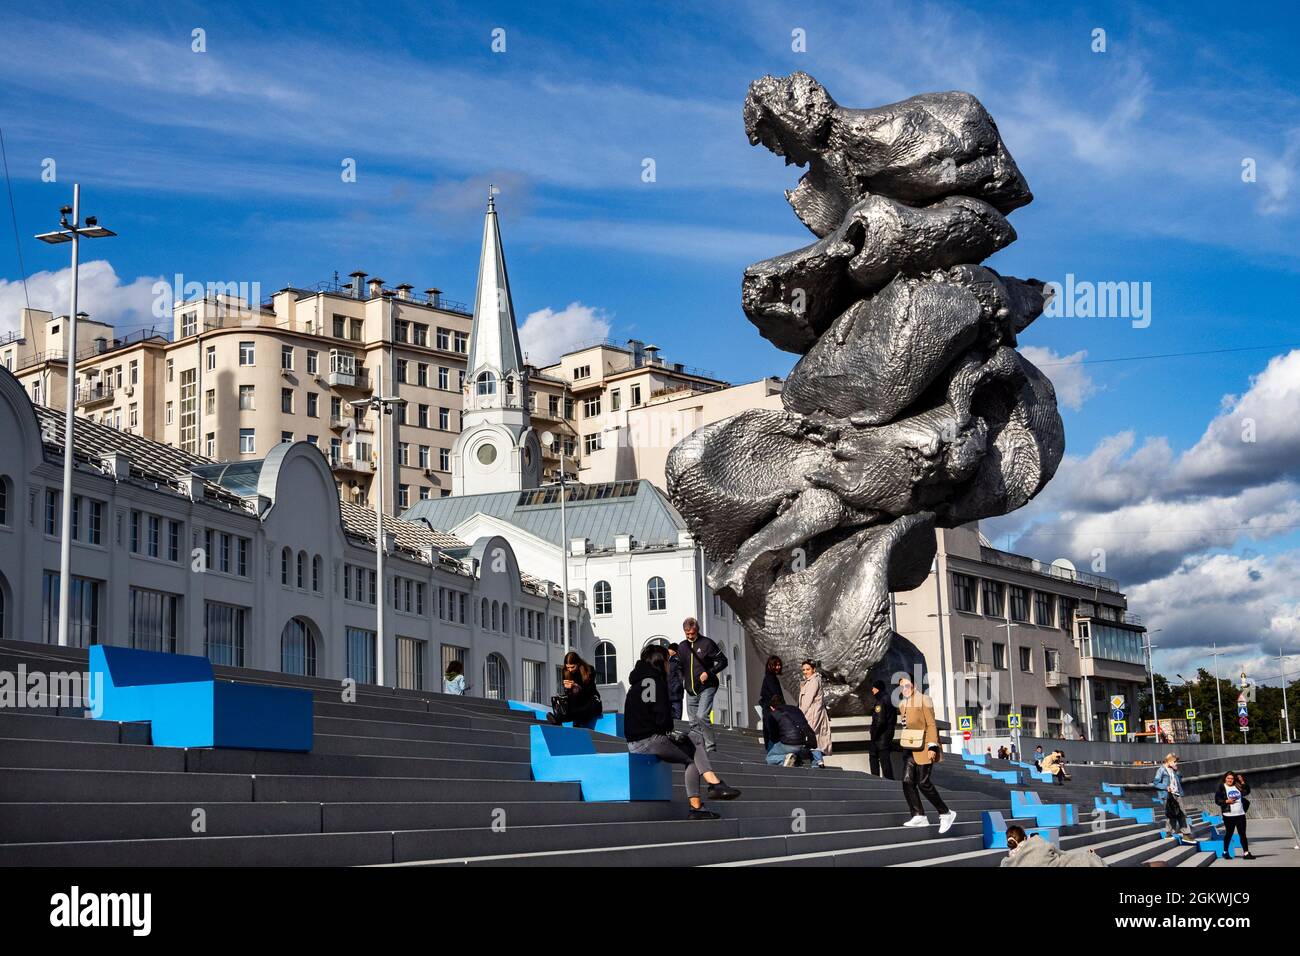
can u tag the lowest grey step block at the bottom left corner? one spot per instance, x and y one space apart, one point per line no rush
293 850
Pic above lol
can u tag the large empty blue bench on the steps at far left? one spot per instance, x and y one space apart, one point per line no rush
187 707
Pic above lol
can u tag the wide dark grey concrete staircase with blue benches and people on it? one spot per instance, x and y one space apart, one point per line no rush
419 778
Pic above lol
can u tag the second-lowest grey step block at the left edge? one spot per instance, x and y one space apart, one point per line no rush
99 821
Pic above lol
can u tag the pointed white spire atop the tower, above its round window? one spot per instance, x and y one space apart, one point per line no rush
495 340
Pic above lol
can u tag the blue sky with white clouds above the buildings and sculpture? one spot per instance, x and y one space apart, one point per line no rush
226 166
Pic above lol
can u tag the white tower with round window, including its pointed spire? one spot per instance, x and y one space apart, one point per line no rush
497 449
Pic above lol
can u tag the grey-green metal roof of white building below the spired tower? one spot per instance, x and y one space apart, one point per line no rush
596 513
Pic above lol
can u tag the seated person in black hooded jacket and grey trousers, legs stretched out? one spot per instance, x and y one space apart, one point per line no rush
648 725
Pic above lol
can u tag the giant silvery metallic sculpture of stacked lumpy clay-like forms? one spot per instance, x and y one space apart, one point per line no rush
911 408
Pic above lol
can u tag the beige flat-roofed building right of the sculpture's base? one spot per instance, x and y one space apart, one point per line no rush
1015 635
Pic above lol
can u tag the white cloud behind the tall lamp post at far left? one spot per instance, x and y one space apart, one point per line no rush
99 293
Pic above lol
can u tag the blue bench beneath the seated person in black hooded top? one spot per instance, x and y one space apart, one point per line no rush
569 754
